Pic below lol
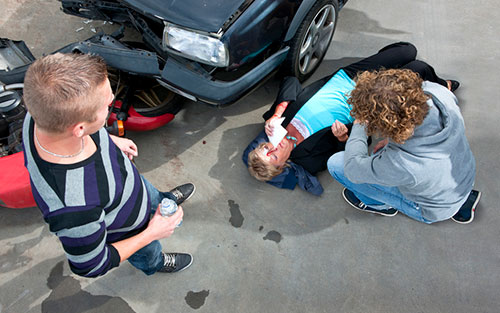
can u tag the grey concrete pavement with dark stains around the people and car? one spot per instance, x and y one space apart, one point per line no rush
293 252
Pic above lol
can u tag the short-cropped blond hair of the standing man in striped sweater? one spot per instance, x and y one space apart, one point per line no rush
59 89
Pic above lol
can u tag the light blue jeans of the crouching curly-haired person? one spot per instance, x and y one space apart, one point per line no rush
376 196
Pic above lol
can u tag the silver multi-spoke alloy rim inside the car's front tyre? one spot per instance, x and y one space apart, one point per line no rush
316 40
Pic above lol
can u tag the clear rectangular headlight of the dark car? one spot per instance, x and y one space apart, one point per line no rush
195 46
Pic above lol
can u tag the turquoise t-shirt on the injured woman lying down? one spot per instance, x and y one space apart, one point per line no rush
328 104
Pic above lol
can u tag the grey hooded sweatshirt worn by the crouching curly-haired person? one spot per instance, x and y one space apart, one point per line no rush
434 168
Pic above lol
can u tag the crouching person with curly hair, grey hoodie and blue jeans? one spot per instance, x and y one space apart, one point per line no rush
424 168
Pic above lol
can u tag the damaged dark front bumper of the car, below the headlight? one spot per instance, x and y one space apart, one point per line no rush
175 75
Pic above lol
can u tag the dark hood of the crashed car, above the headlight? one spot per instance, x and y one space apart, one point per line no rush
204 15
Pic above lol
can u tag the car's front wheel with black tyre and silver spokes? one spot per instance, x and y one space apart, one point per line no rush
309 45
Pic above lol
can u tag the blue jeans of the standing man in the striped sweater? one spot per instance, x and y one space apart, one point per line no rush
149 259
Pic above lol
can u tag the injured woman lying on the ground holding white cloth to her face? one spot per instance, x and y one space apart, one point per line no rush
317 120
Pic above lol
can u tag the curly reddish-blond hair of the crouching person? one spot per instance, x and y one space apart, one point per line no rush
390 103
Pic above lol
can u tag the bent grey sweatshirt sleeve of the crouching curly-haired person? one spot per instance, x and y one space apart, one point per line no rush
380 168
